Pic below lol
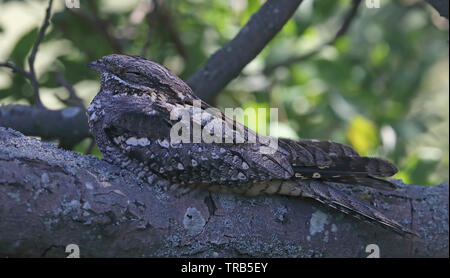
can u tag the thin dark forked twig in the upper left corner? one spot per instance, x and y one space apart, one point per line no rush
31 74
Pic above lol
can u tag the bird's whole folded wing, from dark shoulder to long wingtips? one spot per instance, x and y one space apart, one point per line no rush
236 163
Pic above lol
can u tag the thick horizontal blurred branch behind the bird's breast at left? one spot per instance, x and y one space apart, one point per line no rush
68 125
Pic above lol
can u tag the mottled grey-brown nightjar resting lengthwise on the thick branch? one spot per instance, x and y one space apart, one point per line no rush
132 116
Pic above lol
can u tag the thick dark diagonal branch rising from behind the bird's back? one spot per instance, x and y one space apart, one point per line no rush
224 65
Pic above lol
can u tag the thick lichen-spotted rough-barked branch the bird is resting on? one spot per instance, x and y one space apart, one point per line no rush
50 198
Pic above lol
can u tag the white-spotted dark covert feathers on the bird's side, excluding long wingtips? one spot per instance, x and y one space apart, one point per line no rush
145 137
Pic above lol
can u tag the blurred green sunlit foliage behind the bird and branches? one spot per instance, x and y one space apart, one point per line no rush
382 86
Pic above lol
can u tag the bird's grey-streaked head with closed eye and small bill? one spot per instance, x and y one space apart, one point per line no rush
134 75
